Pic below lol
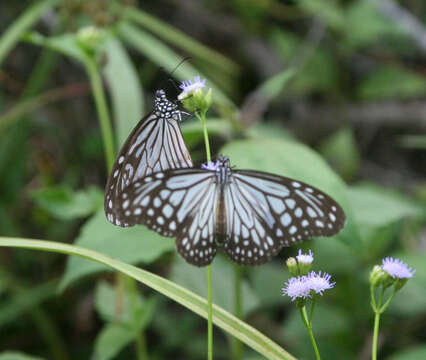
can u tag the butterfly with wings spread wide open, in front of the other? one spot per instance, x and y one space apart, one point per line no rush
251 214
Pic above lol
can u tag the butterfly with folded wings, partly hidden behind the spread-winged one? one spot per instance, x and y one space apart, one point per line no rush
155 144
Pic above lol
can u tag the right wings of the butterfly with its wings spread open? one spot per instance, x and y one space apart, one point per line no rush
266 212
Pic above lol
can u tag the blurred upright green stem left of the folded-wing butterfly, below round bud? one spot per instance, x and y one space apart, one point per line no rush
102 109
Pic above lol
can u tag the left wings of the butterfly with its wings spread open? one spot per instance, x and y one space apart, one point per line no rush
178 203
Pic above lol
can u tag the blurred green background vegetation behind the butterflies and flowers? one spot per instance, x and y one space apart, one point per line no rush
330 92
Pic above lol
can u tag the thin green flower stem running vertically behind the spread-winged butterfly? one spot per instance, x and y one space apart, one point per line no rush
202 117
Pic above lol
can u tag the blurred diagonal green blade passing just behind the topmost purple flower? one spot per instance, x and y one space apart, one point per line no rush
164 56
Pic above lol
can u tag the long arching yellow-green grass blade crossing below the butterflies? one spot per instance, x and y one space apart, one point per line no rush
198 305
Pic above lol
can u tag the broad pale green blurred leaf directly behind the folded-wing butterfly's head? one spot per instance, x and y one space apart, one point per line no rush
126 91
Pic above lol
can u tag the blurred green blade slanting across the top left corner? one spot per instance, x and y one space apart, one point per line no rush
27 19
